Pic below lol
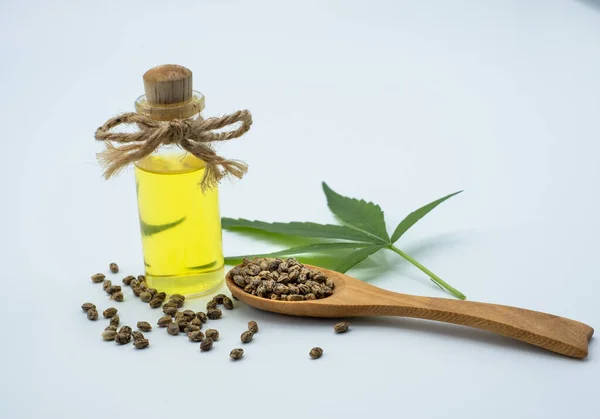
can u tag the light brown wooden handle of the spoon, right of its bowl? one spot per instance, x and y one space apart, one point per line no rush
557 334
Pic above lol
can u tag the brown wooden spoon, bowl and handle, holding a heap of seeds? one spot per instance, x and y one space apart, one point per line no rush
352 298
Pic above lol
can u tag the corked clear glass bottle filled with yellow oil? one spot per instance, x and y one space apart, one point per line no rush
180 224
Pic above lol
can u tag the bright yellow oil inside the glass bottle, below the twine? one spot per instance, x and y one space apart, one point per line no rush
180 225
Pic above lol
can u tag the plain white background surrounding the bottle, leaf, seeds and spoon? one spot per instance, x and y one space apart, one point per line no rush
398 102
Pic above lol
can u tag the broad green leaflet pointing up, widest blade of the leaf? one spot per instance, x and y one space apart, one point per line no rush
358 214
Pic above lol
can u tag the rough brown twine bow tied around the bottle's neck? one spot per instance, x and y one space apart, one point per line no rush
194 136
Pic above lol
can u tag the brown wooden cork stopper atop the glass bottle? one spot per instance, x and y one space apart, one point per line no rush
168 84
